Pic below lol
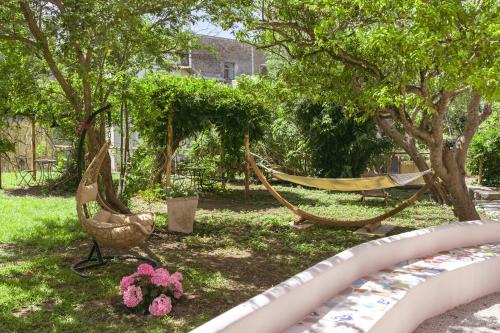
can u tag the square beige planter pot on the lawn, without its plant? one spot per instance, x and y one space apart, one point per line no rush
181 213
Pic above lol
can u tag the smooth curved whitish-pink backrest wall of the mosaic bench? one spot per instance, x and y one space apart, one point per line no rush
281 306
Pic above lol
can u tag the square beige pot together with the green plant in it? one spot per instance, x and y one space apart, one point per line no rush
182 201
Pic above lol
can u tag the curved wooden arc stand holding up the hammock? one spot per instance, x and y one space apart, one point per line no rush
305 216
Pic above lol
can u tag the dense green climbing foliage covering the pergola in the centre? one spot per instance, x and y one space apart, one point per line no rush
196 105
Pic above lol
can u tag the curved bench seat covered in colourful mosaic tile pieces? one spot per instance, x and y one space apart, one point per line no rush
359 307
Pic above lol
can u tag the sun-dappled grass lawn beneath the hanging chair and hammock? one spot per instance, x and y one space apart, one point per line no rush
237 250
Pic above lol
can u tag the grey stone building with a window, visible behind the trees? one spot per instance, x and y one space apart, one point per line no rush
223 59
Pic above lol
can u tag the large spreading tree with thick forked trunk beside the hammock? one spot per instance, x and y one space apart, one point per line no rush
402 62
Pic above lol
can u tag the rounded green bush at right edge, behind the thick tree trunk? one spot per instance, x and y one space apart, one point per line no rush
485 147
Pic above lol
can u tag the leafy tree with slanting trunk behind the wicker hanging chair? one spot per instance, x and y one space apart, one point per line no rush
87 44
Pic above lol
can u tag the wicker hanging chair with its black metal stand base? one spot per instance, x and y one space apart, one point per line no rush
106 226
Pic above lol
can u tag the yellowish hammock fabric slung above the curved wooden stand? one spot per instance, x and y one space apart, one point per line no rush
351 184
